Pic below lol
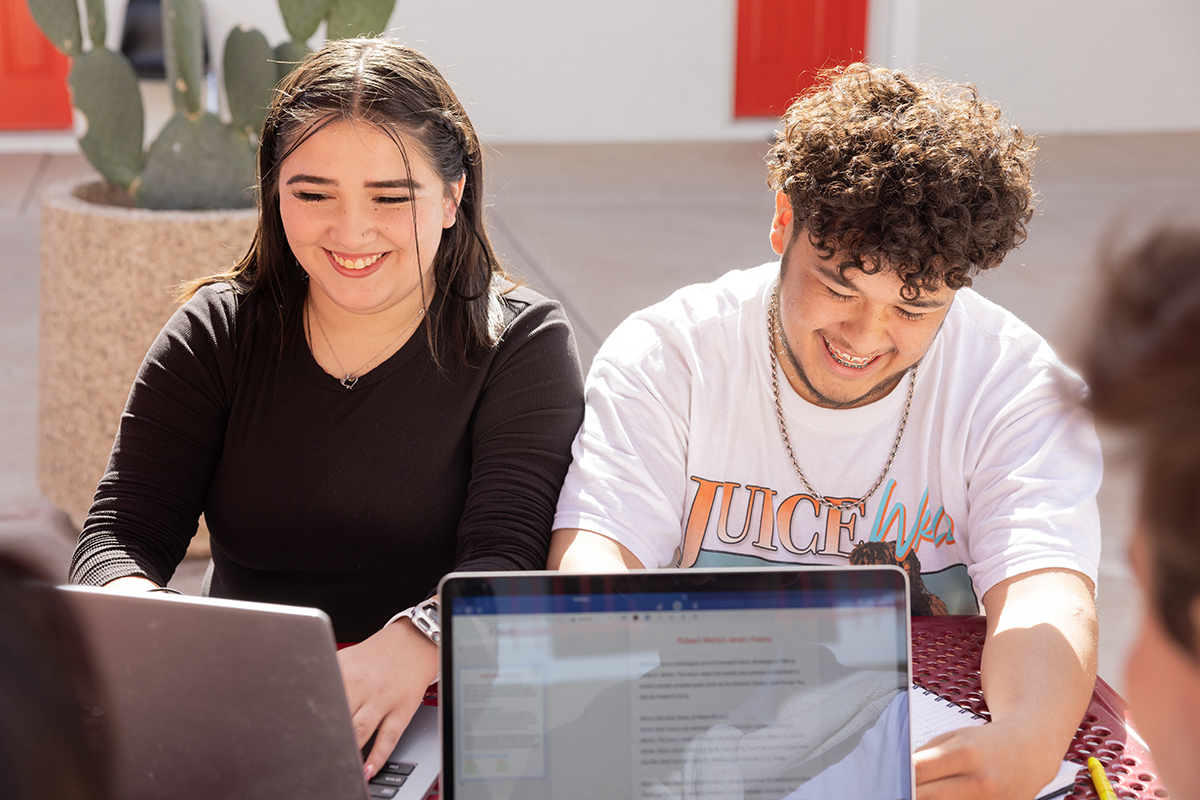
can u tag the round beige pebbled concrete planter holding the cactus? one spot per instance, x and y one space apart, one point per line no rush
109 281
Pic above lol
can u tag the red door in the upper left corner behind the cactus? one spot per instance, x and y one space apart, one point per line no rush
33 75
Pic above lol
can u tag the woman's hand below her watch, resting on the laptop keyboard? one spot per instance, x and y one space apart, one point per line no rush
386 678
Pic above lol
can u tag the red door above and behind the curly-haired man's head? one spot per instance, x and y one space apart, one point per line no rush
782 45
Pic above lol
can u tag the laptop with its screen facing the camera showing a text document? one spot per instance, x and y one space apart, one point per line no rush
677 684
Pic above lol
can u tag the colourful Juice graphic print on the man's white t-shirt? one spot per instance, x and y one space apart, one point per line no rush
769 533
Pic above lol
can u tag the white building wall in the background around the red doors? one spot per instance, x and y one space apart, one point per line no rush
532 71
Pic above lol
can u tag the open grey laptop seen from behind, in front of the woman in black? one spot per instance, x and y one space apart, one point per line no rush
214 699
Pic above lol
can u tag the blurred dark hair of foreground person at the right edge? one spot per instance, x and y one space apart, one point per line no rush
1143 369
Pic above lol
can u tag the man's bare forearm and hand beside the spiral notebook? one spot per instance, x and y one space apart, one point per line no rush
1039 677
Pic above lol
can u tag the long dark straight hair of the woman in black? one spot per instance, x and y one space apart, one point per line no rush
398 91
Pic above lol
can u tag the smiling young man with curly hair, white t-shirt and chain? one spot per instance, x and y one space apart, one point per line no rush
860 392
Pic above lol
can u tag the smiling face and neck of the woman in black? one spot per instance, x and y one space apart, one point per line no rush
358 216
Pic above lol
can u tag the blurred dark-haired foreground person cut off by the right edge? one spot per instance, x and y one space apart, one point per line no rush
1144 370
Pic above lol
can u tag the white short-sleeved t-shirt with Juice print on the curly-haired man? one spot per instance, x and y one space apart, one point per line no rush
681 458
